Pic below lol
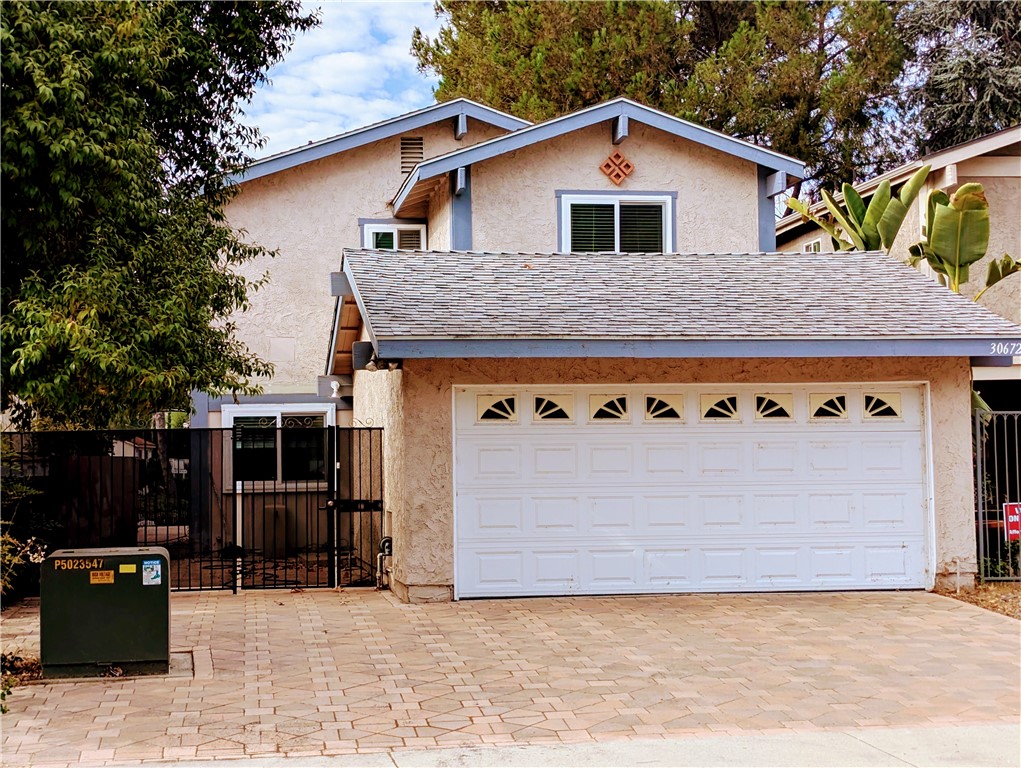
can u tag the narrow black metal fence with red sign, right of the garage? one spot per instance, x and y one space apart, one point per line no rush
998 485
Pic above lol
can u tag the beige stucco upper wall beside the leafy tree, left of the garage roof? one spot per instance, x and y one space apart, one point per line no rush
310 214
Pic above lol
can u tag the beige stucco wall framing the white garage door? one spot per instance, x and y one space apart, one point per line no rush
423 508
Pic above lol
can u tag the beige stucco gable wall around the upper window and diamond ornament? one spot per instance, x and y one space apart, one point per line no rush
514 203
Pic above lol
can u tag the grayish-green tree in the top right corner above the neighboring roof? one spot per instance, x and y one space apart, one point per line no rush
966 80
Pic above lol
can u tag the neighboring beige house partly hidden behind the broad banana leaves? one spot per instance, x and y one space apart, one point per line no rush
994 162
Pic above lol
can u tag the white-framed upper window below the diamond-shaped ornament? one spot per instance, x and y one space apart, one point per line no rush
625 224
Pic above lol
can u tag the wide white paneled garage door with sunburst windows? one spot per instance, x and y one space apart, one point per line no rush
627 490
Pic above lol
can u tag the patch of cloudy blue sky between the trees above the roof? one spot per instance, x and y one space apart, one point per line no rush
354 70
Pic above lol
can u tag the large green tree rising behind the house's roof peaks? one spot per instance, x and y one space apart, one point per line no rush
816 80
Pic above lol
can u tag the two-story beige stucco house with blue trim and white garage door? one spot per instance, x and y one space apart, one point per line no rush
595 372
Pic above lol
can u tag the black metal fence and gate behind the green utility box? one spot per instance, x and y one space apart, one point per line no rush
253 507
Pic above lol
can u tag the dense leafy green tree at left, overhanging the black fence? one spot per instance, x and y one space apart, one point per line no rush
122 124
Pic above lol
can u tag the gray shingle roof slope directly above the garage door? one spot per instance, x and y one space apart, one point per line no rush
850 296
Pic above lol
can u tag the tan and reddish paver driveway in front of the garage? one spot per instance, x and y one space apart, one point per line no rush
328 674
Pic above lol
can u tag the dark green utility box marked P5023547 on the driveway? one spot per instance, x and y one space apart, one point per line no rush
102 609
